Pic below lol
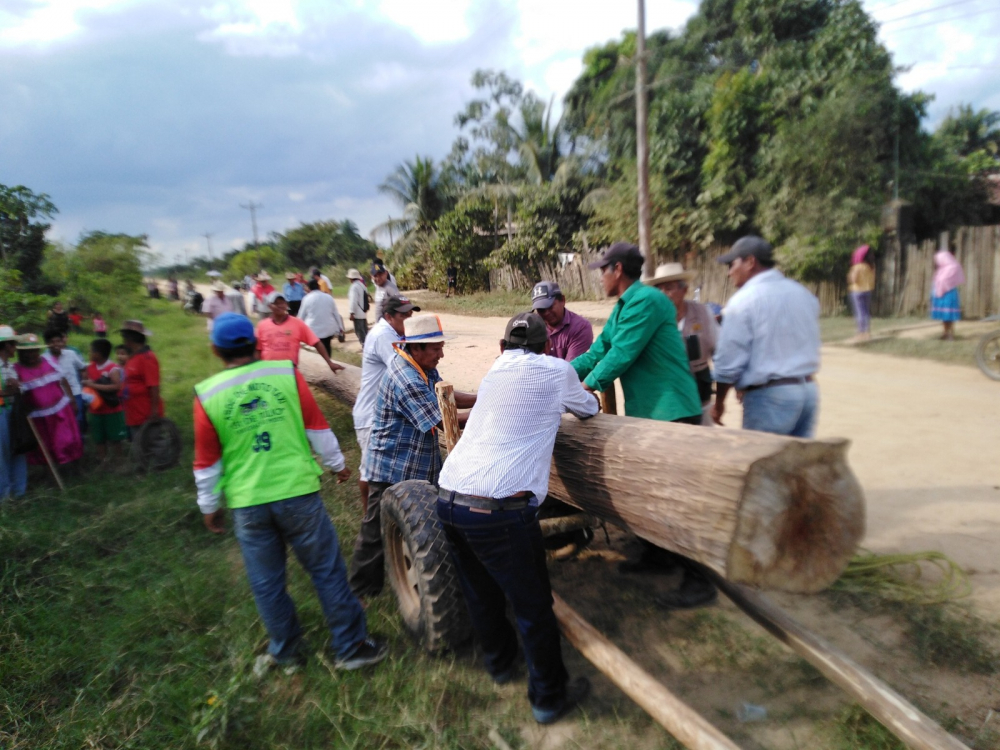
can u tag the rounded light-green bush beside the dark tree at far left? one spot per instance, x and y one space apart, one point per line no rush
102 273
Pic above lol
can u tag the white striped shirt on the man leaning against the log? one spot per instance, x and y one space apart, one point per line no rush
507 444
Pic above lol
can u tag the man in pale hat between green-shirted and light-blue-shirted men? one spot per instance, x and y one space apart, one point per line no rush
697 325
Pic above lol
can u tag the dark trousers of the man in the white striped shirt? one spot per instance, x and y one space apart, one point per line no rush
499 557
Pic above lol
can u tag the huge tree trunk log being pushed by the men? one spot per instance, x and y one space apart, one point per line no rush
757 509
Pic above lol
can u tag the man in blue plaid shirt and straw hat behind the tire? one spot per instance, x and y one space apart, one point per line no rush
403 443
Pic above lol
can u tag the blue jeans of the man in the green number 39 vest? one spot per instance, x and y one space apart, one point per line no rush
302 522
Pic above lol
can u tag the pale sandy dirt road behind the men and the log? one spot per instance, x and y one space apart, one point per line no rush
925 440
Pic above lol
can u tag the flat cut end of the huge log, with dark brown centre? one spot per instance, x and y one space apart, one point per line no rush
800 519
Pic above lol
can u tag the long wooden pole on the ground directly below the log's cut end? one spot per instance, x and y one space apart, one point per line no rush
890 708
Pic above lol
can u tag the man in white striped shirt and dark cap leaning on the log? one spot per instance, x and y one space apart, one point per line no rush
493 481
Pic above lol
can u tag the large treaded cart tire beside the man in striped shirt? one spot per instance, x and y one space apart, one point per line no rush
420 571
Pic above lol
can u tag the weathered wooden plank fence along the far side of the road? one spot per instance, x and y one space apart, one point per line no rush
902 286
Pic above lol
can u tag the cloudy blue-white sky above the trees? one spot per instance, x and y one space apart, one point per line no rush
163 116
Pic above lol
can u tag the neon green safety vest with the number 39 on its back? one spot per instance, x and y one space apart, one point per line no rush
256 412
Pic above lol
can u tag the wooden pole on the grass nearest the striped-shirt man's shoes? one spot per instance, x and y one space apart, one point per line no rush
689 727
